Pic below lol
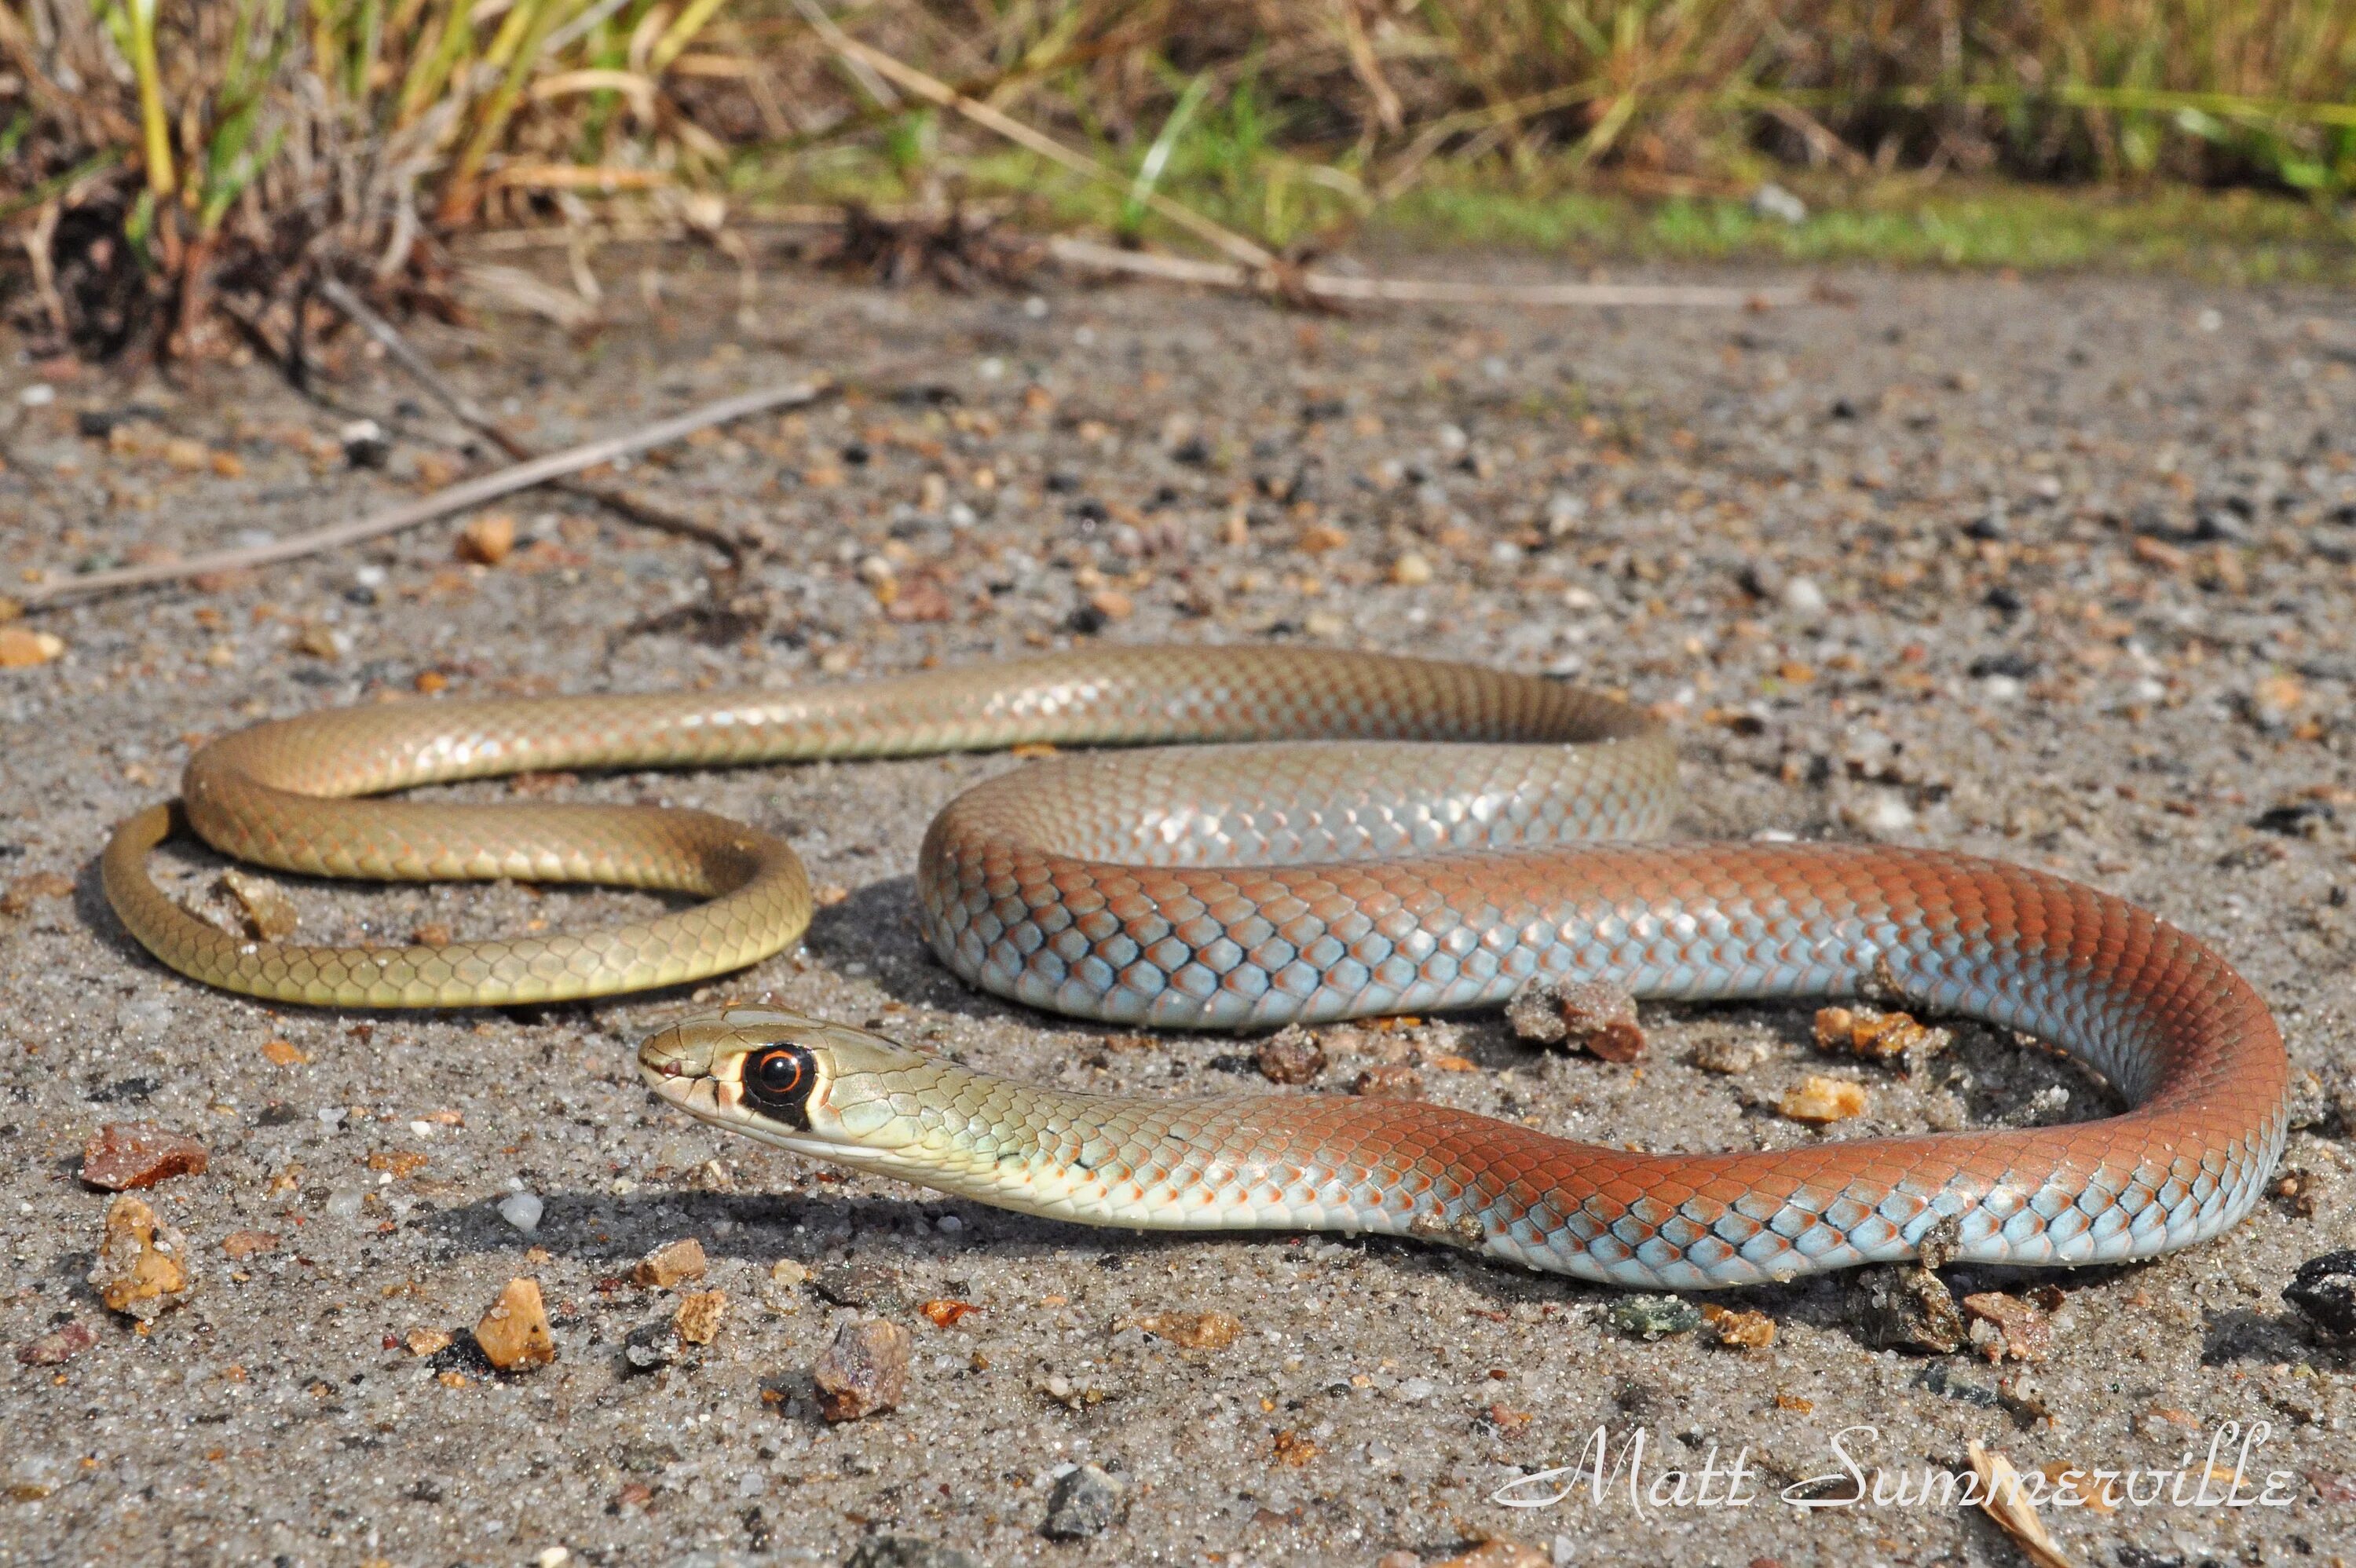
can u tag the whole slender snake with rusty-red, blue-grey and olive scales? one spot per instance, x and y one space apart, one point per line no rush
1262 837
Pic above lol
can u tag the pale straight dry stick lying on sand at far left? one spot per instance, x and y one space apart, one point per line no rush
444 503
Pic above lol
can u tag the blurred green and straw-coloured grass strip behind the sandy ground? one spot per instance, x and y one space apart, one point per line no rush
176 175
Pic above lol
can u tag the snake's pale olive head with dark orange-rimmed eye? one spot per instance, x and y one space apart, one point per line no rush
788 1079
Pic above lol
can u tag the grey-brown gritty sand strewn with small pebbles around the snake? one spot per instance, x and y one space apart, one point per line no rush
2046 571
